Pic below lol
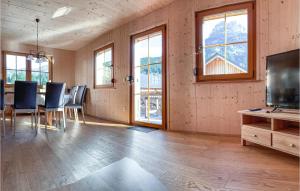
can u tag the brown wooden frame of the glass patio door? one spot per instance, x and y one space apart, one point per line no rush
164 75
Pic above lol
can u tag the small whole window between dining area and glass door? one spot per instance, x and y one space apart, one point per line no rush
104 73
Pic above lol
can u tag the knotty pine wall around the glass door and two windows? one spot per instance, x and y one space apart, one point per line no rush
198 107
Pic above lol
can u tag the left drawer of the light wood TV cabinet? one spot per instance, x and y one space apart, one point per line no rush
256 135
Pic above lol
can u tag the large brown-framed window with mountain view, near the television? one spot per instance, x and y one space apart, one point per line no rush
225 43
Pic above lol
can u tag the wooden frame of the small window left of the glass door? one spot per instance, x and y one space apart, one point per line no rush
112 83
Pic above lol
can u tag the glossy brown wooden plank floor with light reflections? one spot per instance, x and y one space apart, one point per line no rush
107 156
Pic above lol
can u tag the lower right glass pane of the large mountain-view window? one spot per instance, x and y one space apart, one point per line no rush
237 58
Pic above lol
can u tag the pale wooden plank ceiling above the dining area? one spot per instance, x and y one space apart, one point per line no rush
87 20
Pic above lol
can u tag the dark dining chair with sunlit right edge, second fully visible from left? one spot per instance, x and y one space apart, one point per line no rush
54 102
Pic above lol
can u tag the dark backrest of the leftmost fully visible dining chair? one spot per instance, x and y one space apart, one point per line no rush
25 95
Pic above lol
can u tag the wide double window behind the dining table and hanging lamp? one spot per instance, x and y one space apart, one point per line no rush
17 67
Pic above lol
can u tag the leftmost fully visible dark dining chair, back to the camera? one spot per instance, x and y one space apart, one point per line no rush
24 101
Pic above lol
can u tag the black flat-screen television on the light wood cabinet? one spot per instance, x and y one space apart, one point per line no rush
283 80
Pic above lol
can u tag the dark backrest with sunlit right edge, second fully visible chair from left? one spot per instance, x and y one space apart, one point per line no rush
55 95
